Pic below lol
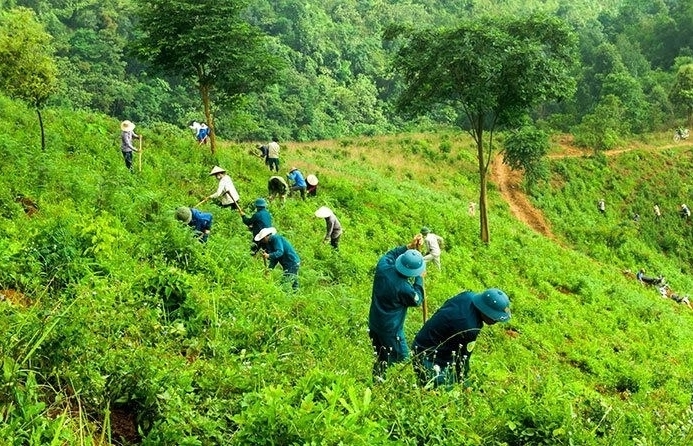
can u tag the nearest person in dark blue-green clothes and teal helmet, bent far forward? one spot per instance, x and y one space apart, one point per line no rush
444 345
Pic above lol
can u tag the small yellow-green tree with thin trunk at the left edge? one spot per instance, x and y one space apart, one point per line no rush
27 67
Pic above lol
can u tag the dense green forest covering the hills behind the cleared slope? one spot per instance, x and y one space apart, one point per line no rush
338 81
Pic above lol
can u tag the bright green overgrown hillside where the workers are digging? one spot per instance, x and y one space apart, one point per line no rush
590 356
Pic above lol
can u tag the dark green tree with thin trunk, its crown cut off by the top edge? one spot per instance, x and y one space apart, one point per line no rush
210 42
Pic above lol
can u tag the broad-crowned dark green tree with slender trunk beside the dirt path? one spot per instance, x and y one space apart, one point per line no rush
493 70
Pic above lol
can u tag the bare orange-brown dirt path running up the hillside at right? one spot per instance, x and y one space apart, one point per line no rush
509 184
